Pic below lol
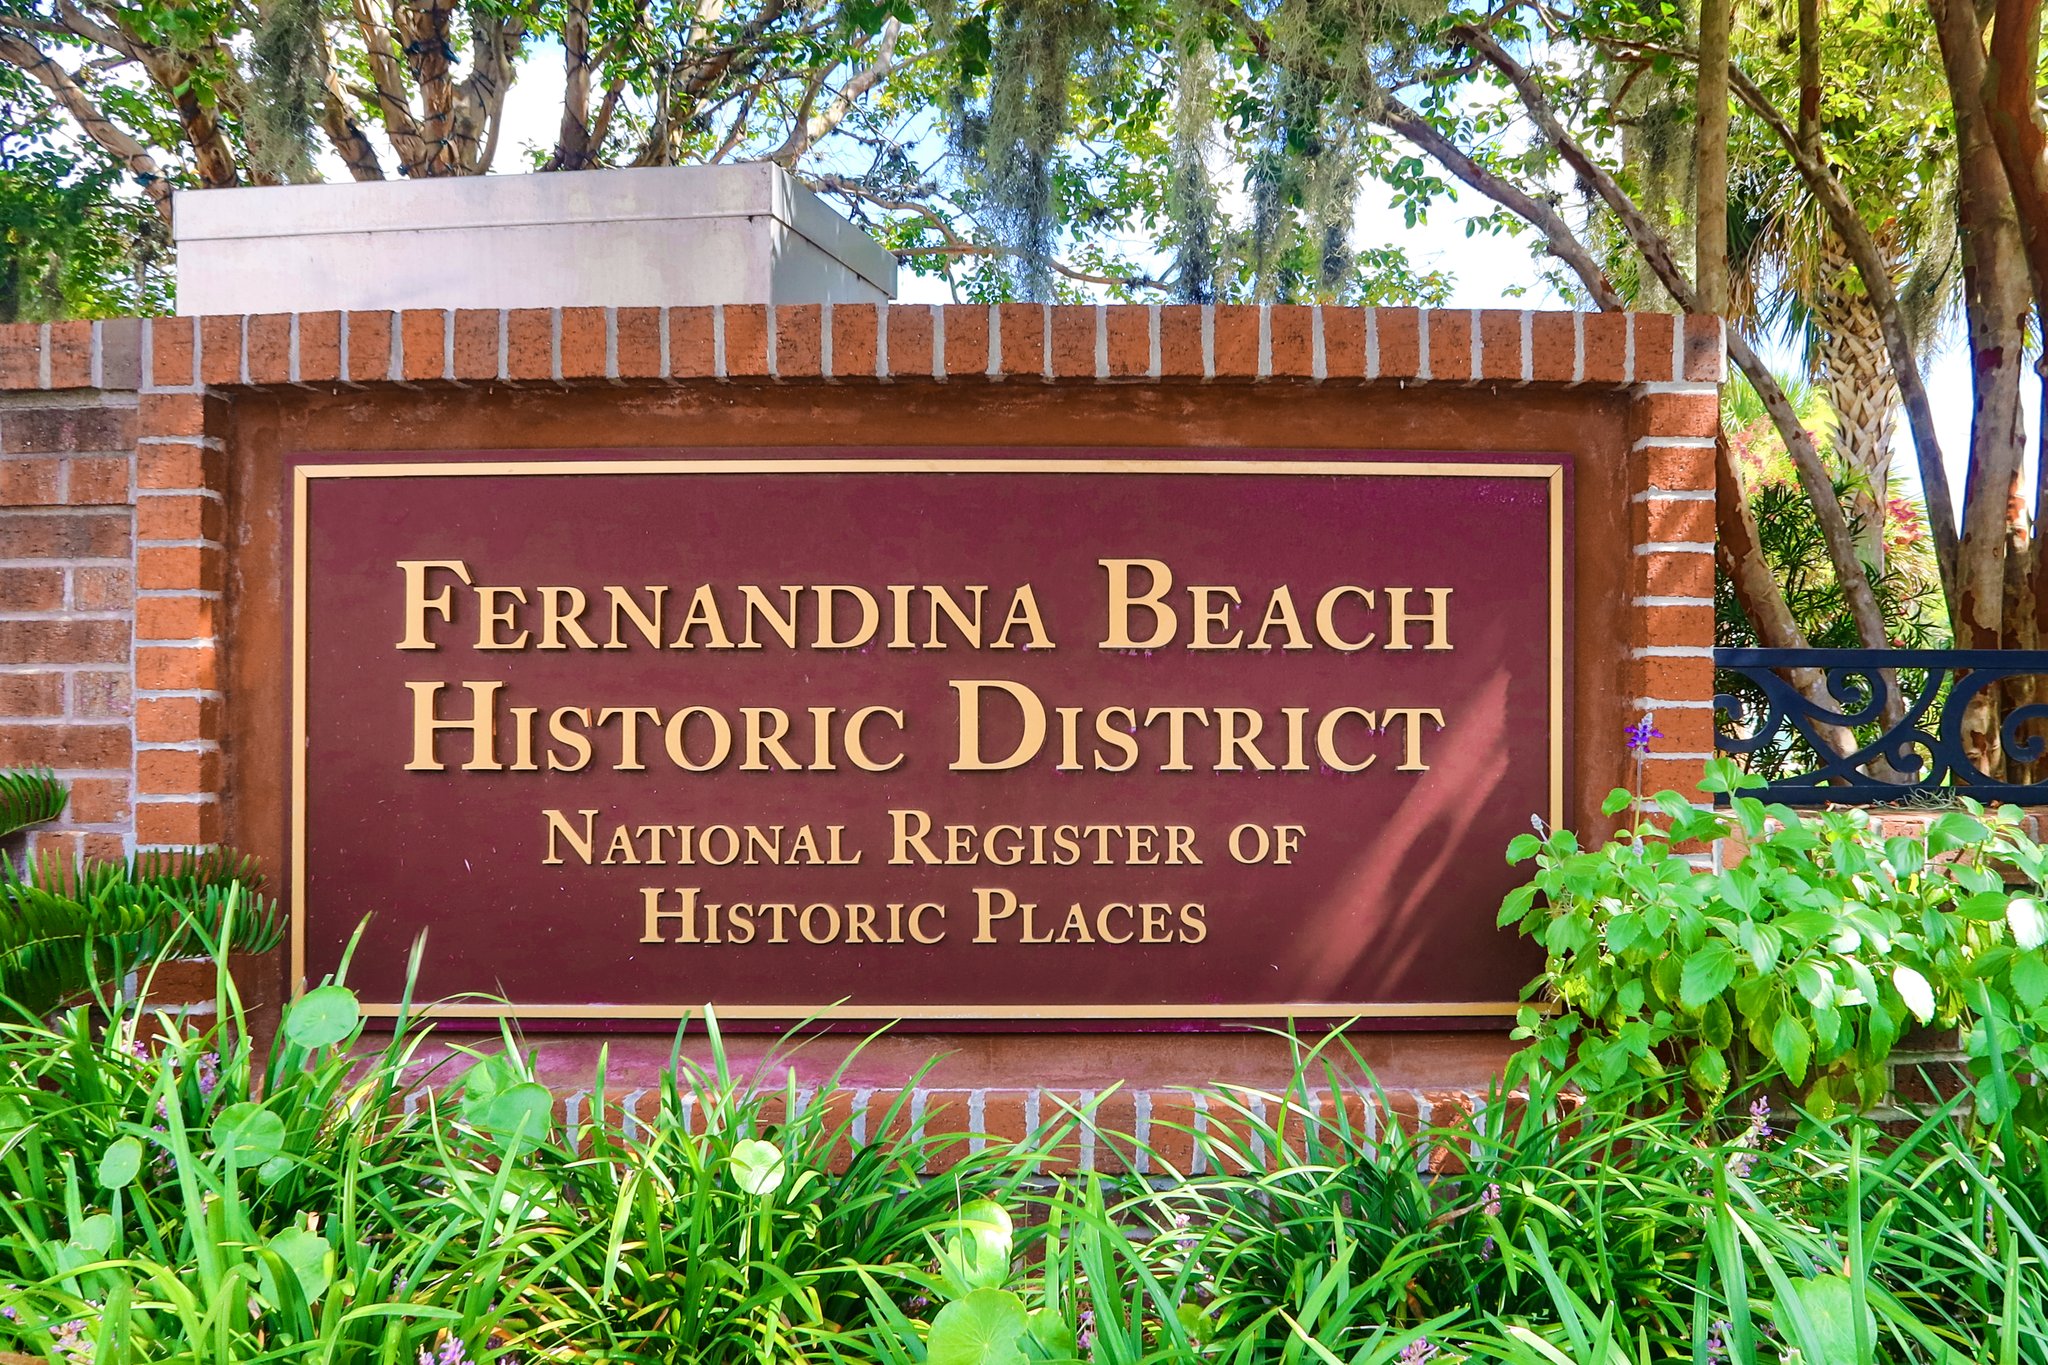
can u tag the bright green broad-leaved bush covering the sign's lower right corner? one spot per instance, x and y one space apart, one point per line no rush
1809 957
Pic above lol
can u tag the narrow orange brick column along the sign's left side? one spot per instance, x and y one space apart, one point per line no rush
179 566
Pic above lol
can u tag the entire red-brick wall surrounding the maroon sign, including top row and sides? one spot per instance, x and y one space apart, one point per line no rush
116 521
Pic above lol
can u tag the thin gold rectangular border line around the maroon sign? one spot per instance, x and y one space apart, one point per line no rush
1469 468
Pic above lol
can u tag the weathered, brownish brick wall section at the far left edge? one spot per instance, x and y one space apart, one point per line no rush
67 531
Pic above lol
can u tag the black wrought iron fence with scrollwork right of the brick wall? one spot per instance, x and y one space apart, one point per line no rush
1969 723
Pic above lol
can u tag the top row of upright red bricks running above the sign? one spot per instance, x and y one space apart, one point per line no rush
869 343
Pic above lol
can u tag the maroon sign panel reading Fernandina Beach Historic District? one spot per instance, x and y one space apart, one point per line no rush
1037 740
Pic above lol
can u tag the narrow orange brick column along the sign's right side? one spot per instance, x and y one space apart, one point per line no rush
1672 511
